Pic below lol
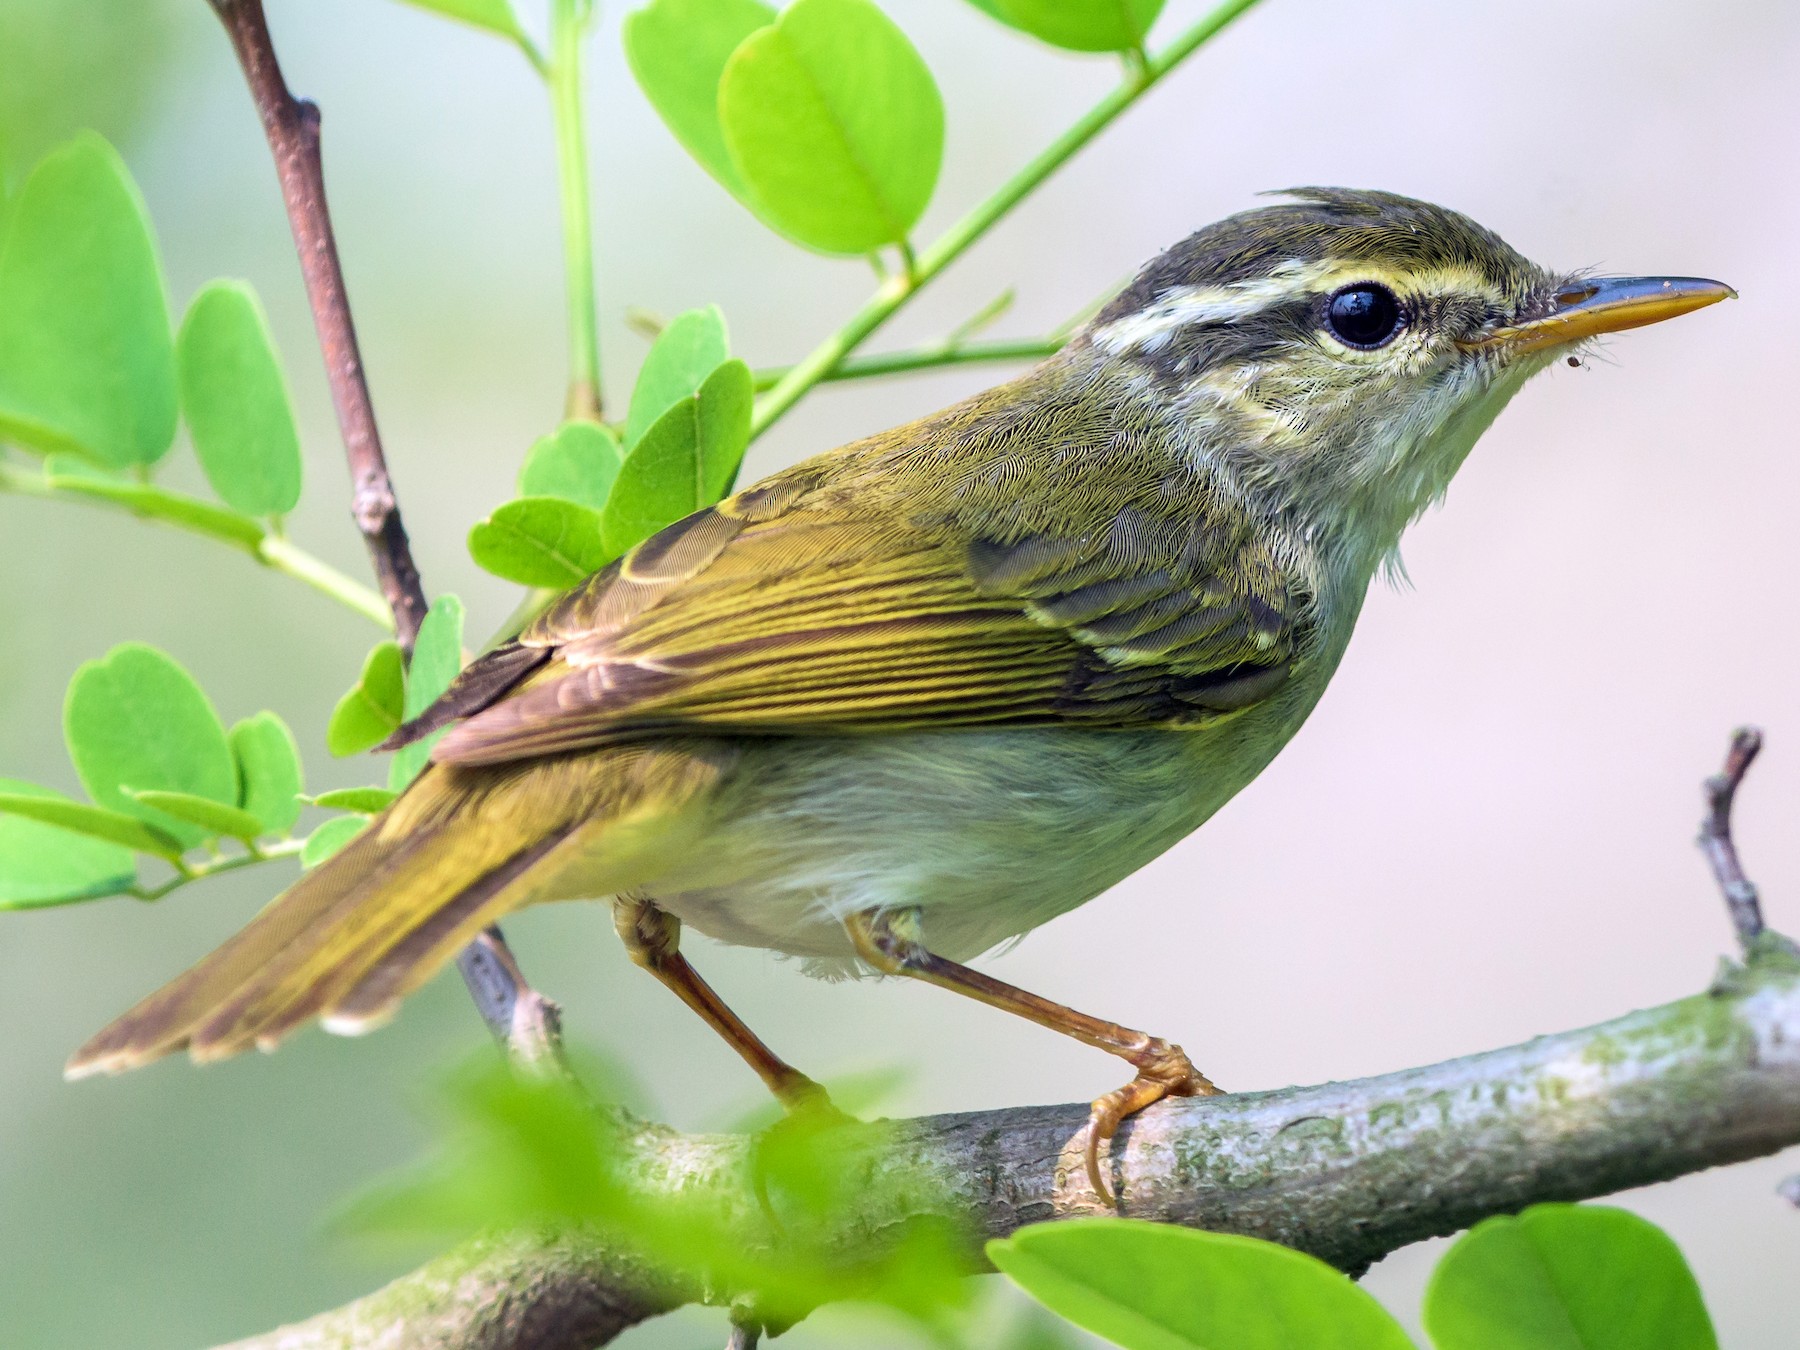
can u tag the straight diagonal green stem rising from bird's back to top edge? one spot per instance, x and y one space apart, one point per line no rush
955 242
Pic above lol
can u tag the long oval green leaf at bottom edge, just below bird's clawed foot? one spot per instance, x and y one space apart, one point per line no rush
1160 1288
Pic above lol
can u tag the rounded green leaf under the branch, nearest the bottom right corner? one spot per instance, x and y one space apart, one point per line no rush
1567 1277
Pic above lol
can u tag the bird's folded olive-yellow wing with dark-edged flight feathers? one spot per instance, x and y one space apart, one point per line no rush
823 604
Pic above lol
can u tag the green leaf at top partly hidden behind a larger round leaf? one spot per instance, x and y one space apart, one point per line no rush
678 51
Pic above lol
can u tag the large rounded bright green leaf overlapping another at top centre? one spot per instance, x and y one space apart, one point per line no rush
836 125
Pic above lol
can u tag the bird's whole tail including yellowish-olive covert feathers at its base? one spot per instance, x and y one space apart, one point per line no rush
372 924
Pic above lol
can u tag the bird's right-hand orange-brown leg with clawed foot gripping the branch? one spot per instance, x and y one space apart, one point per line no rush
888 940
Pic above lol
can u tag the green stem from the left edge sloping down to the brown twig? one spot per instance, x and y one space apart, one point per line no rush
197 516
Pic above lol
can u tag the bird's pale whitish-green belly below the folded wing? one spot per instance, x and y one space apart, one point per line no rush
987 832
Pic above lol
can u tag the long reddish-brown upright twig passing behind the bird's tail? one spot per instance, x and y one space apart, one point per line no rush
519 1016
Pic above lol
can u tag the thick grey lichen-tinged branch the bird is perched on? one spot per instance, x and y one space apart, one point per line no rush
1344 1171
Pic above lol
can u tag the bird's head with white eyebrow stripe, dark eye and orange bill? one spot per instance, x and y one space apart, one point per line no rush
1344 350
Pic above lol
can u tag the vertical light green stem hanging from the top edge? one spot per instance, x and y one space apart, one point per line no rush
570 21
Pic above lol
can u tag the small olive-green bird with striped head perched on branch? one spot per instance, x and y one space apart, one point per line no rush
924 694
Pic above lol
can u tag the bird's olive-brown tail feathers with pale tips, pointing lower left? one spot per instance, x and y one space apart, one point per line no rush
366 928
